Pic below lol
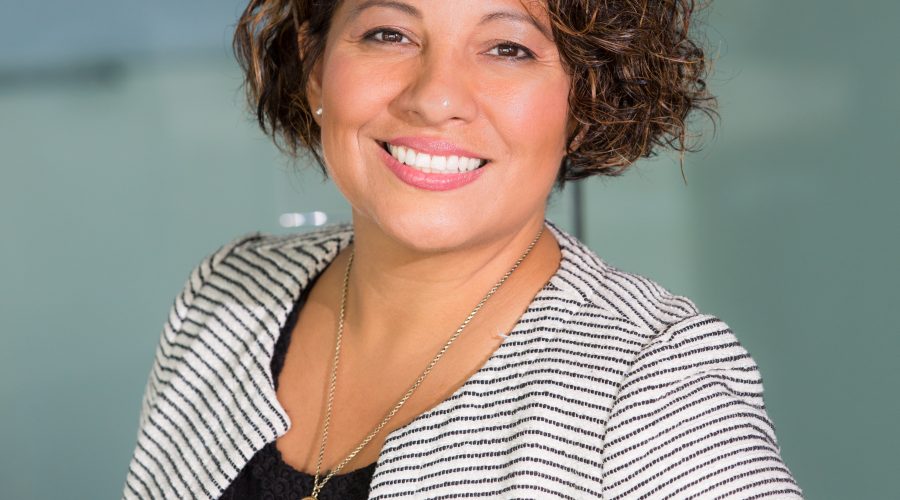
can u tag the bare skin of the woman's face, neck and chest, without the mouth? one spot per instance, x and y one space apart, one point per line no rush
423 259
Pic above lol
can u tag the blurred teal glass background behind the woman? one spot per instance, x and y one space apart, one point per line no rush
126 155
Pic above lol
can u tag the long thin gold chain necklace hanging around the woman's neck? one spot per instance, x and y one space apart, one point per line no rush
317 486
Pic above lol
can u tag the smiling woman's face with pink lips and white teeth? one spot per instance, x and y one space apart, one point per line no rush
463 84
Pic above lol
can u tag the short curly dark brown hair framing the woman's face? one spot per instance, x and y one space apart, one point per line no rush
636 74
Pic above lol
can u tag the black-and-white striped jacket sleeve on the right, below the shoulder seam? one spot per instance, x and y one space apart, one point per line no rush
690 420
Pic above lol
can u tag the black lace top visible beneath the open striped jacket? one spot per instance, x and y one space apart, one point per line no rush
267 476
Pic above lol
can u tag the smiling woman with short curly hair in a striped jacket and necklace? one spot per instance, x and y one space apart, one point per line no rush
451 342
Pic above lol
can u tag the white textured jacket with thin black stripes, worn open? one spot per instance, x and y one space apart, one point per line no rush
608 386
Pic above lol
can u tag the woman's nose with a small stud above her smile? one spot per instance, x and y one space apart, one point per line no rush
438 90
